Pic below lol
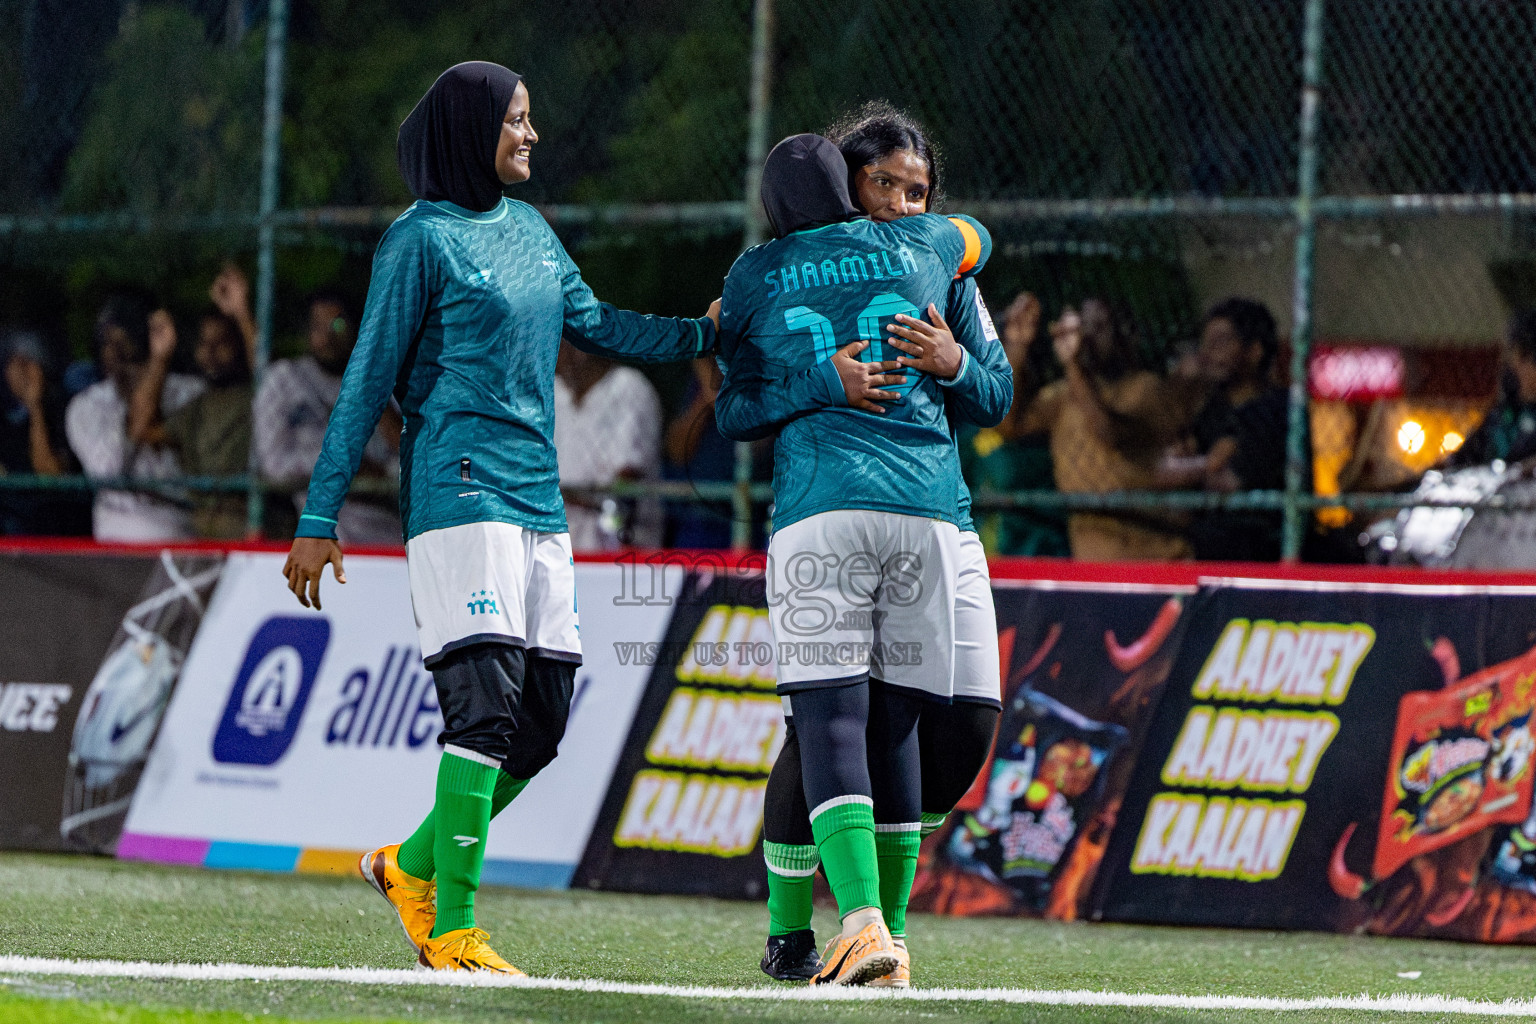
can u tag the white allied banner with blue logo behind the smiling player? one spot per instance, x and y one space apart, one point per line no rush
300 739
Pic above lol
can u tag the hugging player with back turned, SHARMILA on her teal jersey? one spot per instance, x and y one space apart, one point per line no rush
862 561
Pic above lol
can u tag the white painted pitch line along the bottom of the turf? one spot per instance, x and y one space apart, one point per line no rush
1033 997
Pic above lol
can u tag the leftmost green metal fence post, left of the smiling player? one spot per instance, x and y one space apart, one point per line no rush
266 269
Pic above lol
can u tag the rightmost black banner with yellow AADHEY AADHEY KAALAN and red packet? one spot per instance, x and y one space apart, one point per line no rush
1340 758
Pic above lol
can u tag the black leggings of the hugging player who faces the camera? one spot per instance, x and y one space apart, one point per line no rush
953 744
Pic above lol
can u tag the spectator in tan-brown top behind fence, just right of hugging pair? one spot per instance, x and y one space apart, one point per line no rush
1110 421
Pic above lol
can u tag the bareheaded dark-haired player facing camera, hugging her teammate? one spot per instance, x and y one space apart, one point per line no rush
895 174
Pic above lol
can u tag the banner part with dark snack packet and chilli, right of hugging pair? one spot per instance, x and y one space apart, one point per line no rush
1084 667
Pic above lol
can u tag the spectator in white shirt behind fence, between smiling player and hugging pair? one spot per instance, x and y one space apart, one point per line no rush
607 428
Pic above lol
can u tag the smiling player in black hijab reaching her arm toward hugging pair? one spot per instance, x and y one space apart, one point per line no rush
469 300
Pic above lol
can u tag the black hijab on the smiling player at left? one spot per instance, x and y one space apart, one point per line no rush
448 147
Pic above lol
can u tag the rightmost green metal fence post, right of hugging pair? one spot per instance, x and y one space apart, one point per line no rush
1297 448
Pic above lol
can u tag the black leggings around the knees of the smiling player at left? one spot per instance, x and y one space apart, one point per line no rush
506 705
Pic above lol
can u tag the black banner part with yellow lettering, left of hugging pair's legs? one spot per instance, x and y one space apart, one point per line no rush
684 807
